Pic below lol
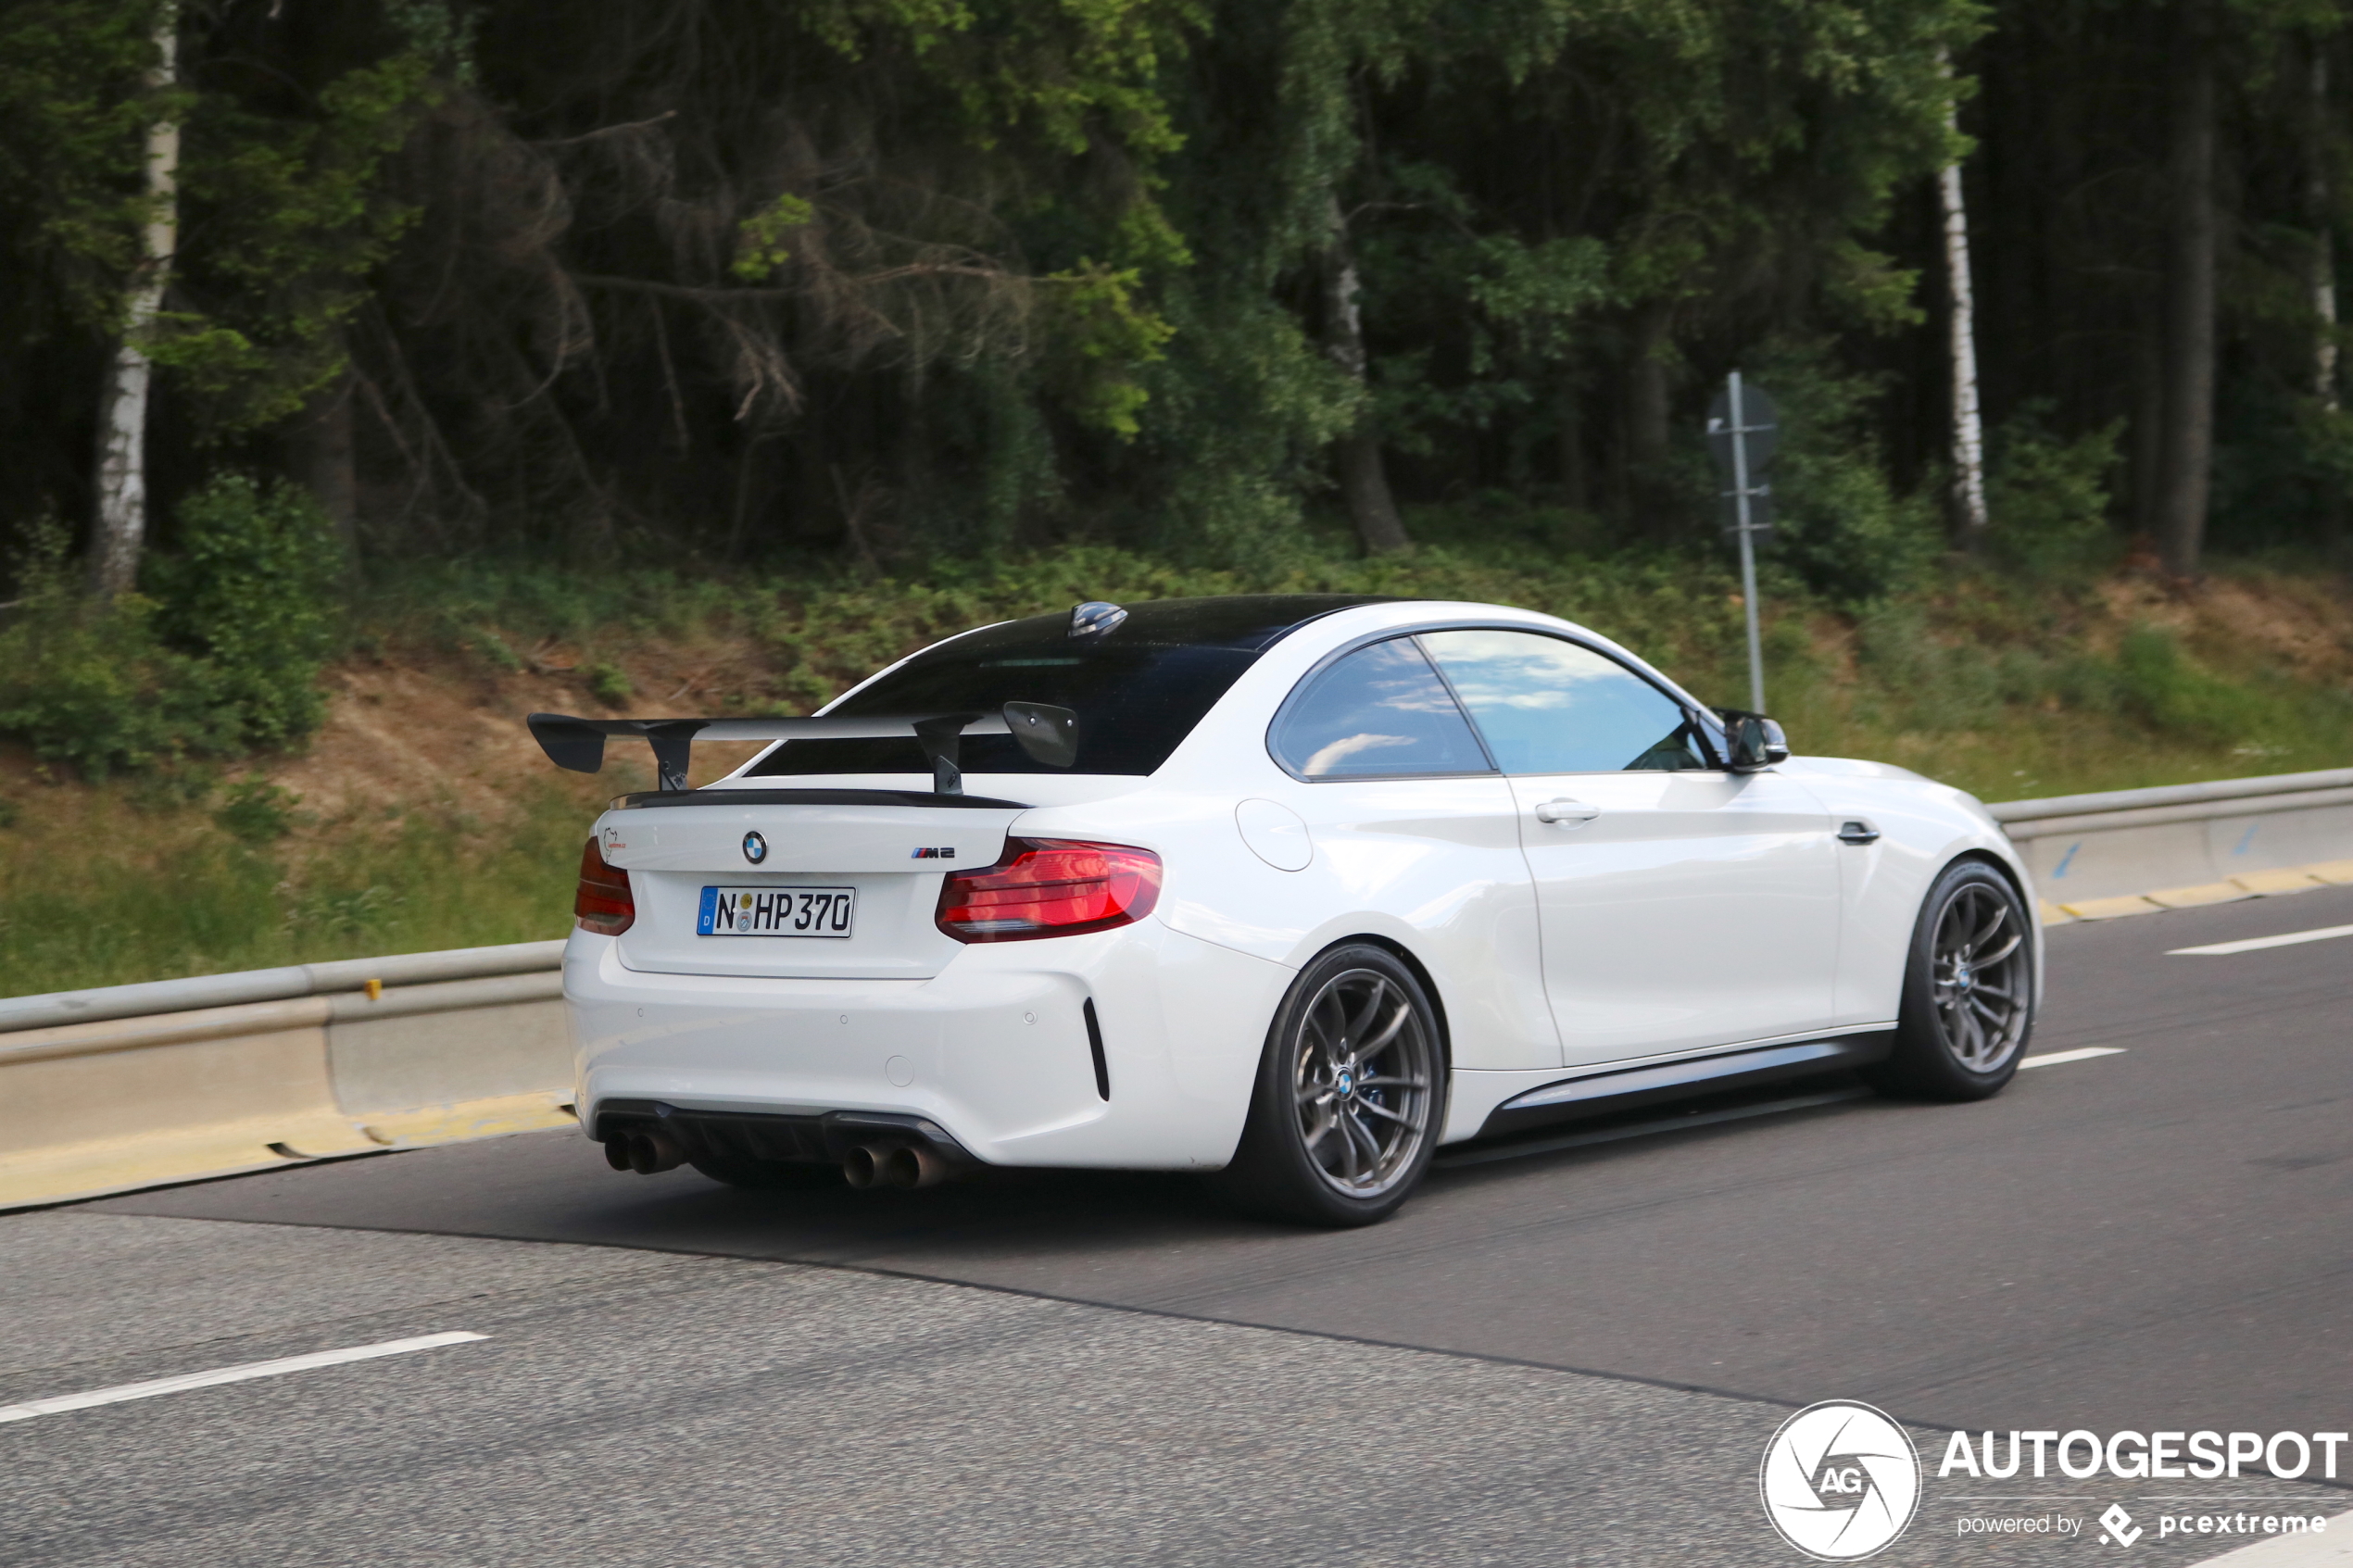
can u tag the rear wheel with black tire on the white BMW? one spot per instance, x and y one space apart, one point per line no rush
1326 1141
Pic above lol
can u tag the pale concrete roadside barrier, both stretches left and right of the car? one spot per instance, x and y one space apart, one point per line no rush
178 1080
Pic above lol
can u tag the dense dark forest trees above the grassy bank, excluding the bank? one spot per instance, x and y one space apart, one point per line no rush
898 276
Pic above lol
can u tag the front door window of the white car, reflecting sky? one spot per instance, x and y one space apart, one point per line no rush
1549 706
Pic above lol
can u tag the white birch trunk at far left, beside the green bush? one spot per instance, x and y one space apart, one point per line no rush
121 514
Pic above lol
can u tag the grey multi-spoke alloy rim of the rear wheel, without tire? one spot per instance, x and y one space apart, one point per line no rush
1364 1083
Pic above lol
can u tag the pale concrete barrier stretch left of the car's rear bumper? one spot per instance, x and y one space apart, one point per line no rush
213 1076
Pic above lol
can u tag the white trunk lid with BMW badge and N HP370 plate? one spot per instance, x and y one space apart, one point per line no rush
888 850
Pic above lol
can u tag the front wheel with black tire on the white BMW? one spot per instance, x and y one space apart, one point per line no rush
1968 991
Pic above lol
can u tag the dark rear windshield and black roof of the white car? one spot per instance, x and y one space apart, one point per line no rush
1138 690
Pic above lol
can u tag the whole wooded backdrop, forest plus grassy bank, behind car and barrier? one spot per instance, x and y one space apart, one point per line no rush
554 351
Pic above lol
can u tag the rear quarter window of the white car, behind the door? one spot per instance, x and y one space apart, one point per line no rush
1378 713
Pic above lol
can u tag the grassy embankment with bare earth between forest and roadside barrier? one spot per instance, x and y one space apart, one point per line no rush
422 817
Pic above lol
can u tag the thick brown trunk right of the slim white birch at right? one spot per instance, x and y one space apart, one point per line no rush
2187 453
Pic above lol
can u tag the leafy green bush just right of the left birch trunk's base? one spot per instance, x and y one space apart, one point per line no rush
253 596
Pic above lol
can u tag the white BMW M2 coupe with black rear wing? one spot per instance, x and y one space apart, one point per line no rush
1284 890
